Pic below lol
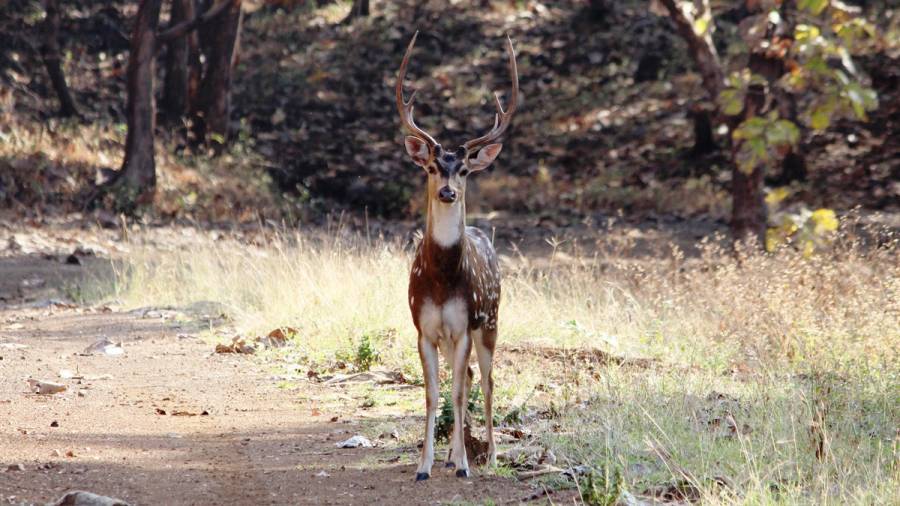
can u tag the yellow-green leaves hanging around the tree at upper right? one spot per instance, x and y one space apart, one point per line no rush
820 67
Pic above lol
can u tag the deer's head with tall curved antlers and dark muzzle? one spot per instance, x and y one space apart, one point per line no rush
447 169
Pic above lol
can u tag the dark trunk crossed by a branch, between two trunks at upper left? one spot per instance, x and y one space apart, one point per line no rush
176 86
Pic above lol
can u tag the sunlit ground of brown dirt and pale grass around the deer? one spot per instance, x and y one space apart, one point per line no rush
642 359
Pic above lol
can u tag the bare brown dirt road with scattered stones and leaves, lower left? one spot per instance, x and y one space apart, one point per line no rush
169 422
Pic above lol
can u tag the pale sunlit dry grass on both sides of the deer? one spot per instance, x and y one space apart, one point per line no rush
776 377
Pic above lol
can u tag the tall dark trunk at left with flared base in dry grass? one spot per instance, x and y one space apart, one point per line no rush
135 184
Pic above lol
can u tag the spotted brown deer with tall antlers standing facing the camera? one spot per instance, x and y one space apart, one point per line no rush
454 286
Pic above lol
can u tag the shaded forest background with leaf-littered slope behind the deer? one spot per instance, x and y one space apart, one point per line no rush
615 116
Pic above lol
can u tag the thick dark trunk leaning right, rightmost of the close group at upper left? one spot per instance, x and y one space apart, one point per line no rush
219 42
